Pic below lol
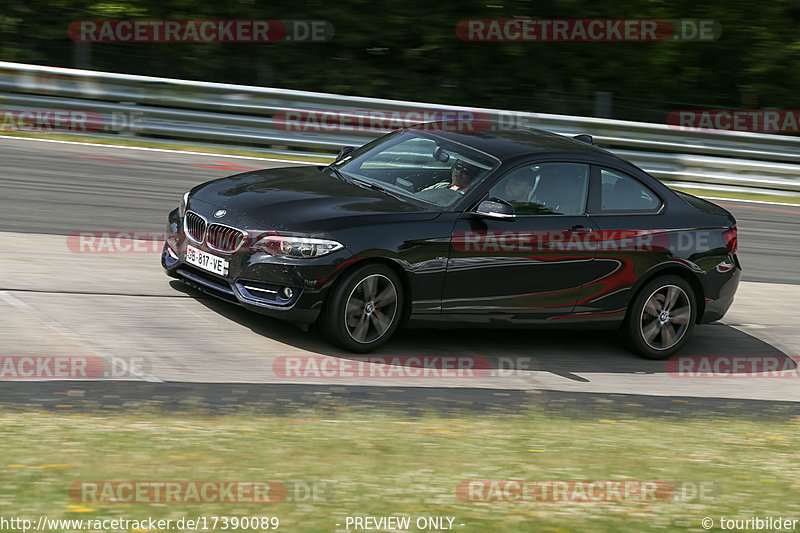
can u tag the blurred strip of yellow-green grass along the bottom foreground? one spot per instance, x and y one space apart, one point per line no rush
380 464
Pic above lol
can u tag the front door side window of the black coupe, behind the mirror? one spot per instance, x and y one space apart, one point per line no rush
545 189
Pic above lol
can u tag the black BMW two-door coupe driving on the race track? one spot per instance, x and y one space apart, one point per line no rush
442 224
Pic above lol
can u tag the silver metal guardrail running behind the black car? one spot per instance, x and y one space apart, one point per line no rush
172 109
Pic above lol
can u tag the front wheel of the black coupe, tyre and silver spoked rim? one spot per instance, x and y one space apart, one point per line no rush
364 308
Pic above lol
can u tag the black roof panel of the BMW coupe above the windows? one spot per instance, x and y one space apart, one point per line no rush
508 141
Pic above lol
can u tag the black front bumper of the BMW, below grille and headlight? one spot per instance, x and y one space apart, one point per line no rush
257 280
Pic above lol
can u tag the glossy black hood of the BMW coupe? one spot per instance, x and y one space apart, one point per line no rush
303 199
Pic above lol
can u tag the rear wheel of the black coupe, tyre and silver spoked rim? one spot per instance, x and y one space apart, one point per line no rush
661 317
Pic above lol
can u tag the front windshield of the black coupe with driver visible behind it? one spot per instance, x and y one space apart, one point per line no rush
419 167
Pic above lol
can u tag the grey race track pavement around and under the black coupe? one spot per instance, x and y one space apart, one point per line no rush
54 301
